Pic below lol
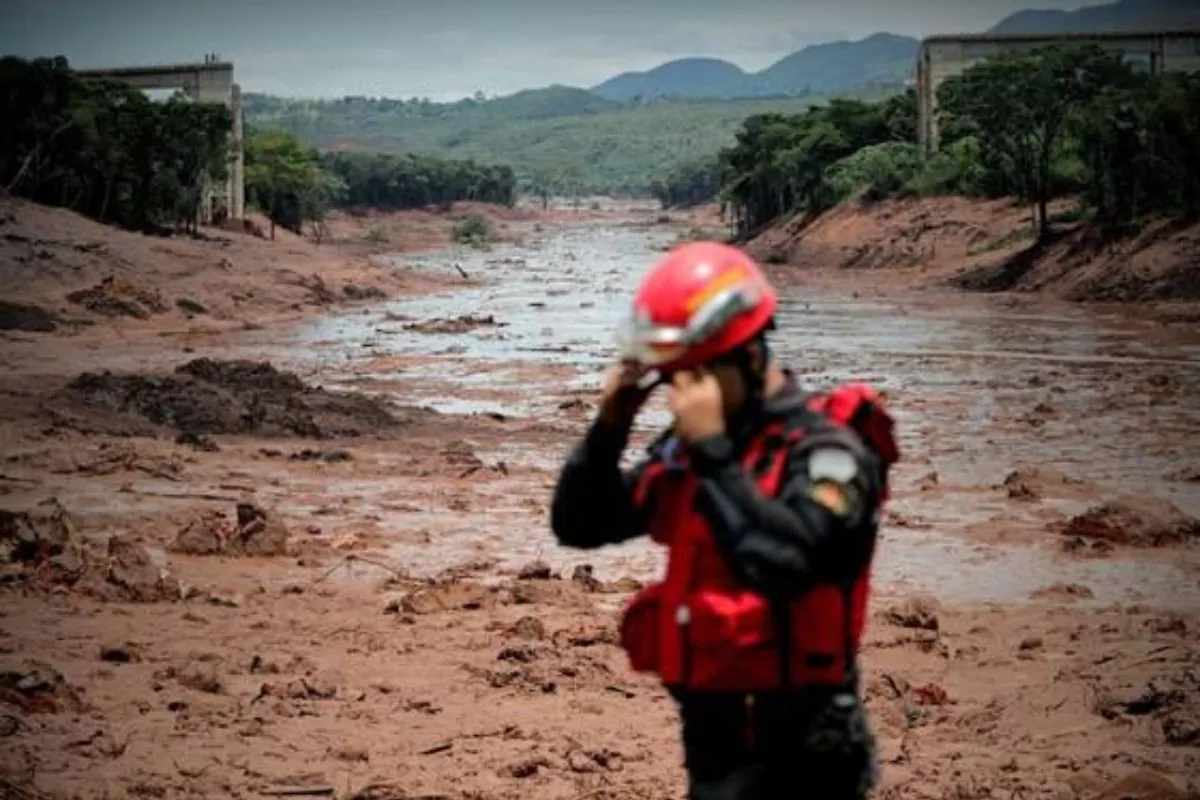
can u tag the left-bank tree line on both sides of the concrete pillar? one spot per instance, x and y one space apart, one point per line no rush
106 151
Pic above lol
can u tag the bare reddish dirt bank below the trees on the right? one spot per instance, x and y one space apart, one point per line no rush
989 246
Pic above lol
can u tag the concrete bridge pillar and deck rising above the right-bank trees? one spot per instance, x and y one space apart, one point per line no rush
943 57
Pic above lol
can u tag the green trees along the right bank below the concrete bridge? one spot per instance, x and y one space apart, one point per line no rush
1053 123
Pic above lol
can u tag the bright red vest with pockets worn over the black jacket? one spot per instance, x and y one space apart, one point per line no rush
699 628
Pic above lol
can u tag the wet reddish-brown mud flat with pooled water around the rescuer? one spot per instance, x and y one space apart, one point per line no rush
314 575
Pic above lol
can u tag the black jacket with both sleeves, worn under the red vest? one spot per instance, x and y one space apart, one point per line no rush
776 545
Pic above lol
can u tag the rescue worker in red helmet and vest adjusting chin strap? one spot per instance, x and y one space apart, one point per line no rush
769 501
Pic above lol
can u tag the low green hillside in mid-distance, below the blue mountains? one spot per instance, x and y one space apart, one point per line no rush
567 137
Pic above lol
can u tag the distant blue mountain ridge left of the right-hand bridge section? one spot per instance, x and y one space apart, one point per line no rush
829 68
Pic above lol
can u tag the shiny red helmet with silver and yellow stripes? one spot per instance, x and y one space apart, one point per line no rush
701 302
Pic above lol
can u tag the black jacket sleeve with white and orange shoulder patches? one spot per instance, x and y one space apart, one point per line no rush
819 528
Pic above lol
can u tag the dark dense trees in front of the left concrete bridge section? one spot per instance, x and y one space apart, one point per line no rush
104 148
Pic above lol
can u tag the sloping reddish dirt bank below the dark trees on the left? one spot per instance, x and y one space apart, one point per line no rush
59 261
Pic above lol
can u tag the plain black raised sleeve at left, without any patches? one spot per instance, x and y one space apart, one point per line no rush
593 503
